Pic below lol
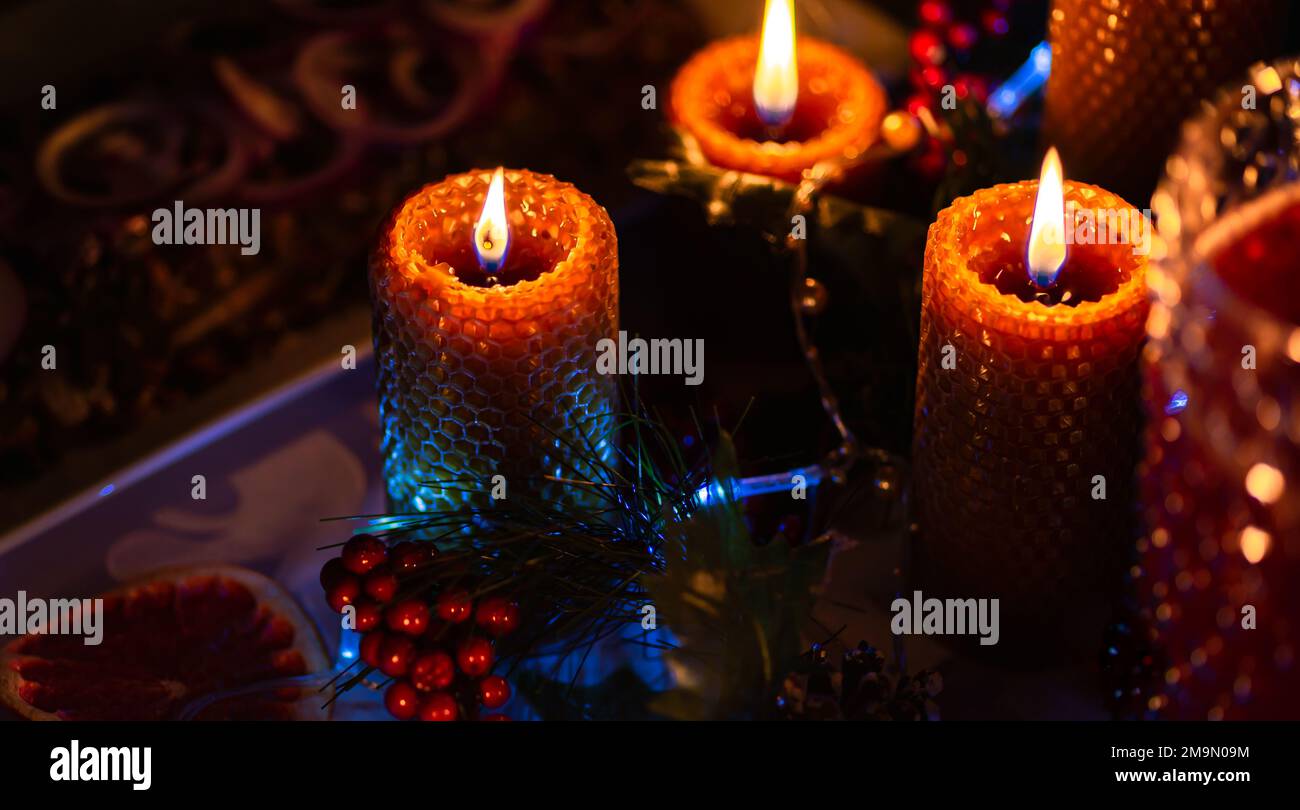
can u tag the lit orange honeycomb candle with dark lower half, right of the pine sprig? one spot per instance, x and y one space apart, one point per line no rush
1042 400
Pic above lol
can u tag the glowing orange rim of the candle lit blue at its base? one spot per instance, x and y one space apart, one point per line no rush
411 262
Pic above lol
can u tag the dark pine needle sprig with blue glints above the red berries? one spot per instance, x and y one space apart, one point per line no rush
578 565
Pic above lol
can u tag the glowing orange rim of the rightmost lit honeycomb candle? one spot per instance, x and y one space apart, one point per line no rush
950 226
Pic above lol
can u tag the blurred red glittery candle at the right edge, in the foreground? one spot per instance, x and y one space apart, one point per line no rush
1220 477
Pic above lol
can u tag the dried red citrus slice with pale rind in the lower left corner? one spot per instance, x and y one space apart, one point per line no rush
168 639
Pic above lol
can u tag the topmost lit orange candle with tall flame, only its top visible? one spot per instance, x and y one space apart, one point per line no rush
777 105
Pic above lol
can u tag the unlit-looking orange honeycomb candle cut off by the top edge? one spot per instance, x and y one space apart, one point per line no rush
1126 73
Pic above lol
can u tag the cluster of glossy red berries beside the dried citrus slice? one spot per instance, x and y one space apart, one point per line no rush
439 656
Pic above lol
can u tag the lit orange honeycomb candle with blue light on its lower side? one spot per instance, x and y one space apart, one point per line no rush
482 380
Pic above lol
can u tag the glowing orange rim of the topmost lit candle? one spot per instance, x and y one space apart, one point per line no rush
691 102
